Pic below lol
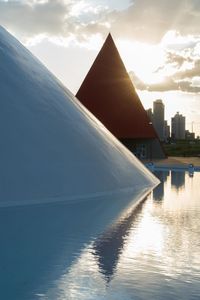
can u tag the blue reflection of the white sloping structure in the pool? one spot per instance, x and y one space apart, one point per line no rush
32 258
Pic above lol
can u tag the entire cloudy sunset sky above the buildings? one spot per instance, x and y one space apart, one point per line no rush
159 42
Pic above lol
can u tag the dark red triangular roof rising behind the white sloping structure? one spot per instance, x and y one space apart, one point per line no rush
107 91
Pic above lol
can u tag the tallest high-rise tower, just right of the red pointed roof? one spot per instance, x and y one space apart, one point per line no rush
158 118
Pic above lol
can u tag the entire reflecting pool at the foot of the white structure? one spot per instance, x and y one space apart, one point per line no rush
108 250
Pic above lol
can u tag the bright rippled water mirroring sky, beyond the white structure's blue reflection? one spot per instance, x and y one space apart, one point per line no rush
152 253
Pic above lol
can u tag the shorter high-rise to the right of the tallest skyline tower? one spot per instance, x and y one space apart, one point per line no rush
178 127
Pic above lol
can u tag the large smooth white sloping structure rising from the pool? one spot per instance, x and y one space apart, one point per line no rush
51 147
